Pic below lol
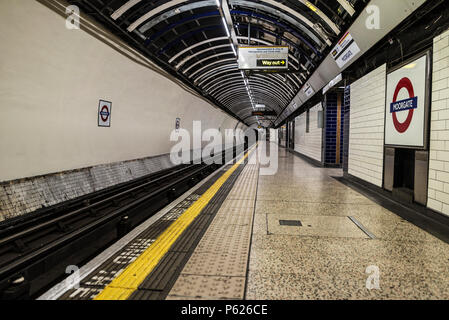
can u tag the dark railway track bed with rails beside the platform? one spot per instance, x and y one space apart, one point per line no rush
36 249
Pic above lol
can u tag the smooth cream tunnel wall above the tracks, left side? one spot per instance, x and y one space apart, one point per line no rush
51 81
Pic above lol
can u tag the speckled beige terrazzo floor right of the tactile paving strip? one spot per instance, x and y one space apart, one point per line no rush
328 256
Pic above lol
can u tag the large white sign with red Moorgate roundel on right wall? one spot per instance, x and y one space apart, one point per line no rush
406 108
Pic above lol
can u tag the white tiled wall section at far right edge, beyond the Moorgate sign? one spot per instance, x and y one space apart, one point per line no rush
439 128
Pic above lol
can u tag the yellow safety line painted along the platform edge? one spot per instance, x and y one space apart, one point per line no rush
129 280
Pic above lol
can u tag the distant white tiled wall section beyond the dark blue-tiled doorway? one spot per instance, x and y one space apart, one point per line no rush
309 144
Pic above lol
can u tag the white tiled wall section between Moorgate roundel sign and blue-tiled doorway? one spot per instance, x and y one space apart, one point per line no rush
366 139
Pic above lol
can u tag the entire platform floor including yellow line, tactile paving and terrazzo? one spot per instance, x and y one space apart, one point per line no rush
297 234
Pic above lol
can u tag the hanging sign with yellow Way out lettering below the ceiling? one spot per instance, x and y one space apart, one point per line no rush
263 58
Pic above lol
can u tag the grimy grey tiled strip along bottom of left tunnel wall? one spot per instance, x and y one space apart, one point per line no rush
27 195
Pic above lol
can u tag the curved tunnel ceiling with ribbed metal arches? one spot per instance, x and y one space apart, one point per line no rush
189 40
